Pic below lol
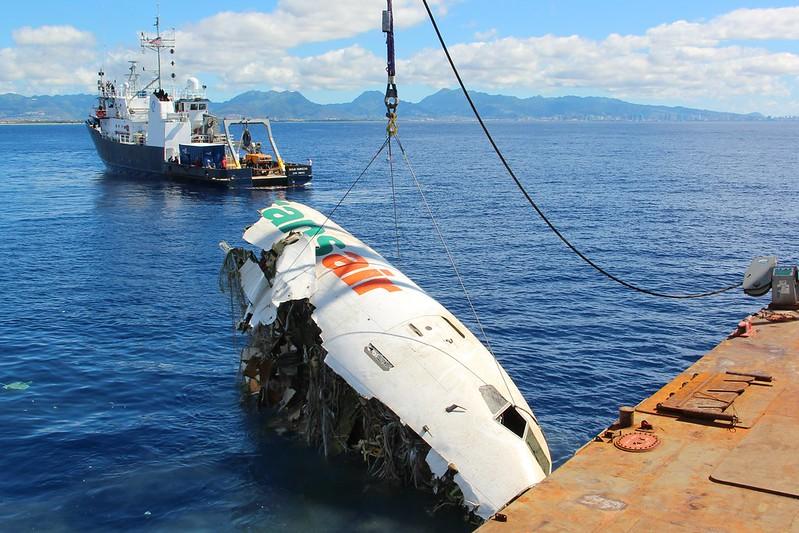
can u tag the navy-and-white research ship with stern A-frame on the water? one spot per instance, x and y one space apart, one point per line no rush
146 131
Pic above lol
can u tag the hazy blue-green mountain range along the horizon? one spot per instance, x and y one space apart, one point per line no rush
445 104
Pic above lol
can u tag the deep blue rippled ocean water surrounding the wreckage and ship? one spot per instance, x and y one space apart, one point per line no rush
112 314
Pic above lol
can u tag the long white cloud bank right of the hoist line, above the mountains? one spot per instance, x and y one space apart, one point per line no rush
683 60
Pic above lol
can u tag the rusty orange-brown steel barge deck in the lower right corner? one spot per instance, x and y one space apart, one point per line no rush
718 451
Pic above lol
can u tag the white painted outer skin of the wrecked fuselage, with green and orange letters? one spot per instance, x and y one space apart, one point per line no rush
442 381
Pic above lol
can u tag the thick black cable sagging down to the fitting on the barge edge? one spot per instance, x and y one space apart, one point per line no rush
530 200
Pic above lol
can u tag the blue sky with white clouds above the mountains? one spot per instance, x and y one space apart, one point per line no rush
721 55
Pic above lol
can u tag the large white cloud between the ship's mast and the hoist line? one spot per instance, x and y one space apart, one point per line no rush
259 52
